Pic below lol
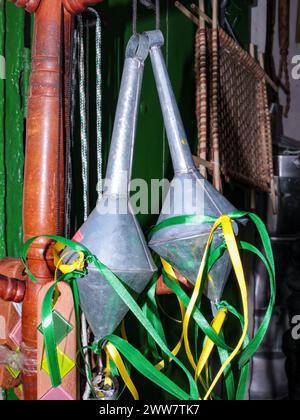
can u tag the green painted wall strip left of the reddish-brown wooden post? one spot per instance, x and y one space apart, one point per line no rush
12 127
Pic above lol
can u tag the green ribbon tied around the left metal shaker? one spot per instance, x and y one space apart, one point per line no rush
49 332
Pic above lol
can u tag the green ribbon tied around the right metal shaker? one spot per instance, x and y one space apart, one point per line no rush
249 347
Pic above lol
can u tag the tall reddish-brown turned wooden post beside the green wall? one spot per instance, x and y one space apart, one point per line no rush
44 160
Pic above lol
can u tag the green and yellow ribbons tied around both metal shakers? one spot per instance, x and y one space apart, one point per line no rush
148 317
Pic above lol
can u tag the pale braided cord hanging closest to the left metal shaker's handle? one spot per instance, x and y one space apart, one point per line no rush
98 99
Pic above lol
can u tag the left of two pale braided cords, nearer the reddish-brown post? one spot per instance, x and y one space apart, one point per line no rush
83 117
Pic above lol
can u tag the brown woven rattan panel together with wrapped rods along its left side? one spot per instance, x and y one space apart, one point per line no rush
235 119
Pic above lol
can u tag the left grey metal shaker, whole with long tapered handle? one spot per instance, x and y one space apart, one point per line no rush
112 232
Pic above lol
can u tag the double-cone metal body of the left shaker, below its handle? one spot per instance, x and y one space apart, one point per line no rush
118 242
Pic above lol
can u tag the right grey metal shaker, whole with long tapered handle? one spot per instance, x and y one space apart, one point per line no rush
189 194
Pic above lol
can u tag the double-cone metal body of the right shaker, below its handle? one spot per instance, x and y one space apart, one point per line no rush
183 246
